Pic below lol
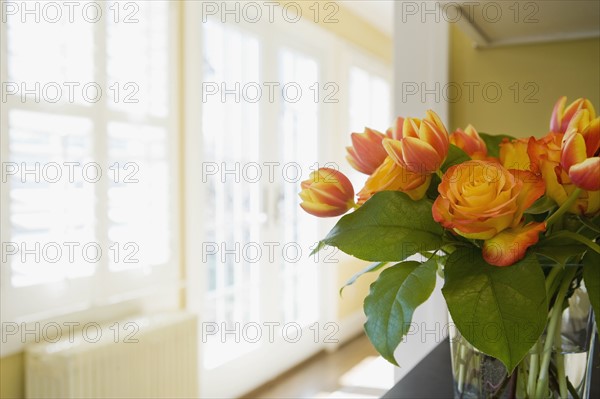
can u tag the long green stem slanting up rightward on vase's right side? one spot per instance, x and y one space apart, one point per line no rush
553 324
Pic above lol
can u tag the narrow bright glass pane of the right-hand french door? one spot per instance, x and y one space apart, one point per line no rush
299 130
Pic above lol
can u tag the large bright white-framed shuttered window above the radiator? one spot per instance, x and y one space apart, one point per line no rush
88 135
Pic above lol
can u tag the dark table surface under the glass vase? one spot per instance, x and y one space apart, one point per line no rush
432 377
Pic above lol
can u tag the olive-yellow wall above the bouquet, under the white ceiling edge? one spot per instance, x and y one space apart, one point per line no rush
563 68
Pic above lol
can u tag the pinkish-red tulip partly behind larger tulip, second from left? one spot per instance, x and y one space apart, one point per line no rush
366 152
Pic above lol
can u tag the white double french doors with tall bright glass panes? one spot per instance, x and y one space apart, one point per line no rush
254 283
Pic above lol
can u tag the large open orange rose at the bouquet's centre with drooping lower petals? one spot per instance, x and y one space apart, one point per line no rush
481 199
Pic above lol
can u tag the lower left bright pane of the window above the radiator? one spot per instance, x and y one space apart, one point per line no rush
51 197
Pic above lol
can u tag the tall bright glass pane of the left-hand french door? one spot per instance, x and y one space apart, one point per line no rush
233 216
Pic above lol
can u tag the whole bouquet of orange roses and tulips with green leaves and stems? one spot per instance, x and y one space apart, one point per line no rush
512 225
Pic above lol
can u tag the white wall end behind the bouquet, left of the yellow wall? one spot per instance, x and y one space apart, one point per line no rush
421 47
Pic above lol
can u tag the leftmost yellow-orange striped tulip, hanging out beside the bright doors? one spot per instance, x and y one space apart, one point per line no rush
327 192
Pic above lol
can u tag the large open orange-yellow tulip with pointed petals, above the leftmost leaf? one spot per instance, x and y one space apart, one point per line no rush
421 146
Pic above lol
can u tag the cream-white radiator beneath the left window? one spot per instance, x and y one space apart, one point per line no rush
161 364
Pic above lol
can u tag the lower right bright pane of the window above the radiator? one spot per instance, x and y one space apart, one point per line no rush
138 196
